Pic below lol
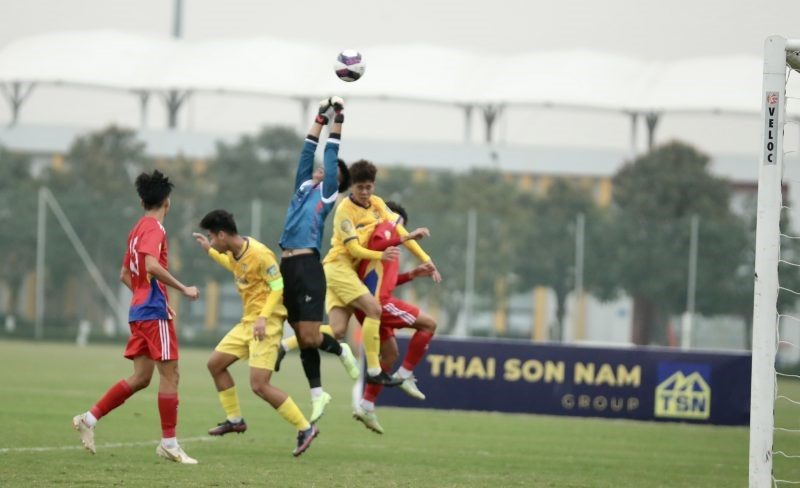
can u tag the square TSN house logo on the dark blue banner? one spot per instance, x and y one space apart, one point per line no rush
683 391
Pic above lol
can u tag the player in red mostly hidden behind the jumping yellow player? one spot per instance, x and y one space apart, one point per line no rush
381 278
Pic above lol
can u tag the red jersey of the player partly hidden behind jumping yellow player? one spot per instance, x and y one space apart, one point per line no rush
381 277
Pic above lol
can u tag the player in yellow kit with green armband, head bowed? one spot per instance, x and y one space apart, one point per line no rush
256 337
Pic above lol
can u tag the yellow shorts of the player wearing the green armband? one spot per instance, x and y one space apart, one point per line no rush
239 341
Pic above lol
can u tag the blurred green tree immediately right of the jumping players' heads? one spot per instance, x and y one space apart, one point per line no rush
442 201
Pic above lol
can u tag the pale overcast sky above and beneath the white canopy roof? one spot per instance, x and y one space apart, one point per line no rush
654 29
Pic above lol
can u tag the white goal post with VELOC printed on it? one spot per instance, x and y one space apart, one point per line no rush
778 53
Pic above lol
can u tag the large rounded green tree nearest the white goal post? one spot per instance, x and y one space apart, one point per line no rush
655 197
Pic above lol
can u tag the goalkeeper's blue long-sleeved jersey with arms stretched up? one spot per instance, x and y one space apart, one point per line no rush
312 202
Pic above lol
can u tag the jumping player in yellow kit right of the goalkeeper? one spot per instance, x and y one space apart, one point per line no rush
353 223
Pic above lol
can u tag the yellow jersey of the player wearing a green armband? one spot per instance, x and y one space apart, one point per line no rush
257 276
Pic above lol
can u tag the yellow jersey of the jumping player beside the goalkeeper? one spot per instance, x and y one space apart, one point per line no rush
352 221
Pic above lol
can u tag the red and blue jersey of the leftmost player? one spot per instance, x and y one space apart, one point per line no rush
149 295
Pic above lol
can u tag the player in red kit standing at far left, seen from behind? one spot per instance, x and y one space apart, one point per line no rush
153 342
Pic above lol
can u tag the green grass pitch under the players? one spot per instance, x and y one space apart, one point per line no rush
44 385
